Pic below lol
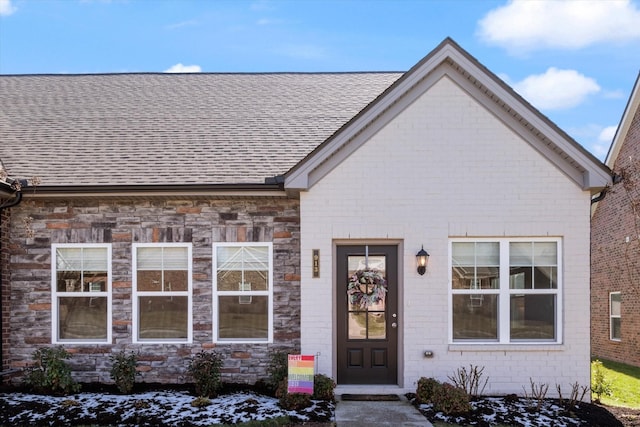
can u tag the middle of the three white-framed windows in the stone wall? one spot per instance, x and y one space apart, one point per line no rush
162 292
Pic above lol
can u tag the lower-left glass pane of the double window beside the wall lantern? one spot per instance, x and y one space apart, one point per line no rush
475 316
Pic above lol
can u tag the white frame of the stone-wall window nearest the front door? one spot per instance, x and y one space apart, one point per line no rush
242 294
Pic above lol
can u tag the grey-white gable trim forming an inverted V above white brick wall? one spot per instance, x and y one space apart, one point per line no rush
449 59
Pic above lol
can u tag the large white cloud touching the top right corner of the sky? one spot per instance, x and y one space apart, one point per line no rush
570 24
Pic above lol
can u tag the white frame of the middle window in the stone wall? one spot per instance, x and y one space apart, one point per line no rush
135 294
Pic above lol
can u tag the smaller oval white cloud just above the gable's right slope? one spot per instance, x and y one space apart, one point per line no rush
556 89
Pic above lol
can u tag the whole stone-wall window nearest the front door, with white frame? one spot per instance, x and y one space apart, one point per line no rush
243 292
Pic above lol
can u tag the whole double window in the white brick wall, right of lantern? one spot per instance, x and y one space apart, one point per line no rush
505 290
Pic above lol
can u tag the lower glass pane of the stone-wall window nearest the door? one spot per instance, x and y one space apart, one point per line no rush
242 318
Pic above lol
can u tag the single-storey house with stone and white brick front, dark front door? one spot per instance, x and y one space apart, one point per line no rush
228 211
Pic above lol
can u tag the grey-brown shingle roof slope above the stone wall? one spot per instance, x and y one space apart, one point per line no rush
158 129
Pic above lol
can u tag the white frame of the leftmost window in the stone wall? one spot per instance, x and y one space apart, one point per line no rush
55 294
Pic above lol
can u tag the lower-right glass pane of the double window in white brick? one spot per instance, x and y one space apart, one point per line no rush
533 317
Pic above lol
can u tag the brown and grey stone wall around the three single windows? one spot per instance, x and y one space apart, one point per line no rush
123 222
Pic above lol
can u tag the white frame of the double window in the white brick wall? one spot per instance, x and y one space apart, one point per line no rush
504 293
